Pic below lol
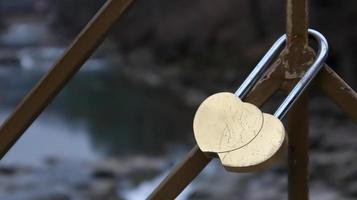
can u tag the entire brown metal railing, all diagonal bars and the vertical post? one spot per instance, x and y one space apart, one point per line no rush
296 56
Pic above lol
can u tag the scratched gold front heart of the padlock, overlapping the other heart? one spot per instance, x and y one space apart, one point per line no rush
223 123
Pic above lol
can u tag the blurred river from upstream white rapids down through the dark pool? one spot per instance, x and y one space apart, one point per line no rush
97 112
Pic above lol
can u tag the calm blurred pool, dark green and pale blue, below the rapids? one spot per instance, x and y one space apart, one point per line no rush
97 113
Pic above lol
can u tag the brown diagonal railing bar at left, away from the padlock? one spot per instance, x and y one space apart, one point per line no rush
50 85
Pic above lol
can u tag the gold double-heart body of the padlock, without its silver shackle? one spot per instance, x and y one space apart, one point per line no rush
244 138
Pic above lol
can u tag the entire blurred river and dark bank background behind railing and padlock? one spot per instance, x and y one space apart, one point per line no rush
125 119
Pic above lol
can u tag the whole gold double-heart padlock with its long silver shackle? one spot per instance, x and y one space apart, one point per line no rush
244 138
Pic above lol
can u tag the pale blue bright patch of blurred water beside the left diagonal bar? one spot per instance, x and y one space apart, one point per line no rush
50 136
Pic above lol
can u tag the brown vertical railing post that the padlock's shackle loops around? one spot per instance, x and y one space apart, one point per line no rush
297 57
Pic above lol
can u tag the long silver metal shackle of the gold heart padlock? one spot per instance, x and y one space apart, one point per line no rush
299 88
